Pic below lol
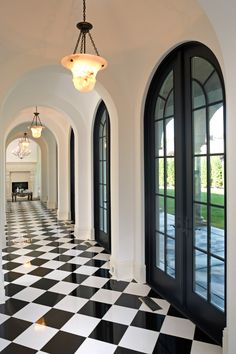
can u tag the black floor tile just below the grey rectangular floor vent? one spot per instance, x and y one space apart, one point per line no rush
148 320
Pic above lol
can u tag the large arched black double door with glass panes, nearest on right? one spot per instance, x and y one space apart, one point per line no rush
185 185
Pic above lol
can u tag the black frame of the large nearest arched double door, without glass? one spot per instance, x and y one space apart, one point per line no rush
177 296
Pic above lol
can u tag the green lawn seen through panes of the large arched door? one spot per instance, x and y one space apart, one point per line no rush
217 214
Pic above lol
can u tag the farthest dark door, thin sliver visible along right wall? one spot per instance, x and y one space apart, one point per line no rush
72 175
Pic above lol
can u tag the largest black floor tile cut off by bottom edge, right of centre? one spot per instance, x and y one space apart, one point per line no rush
167 344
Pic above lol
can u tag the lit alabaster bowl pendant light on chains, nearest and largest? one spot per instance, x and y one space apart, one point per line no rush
84 66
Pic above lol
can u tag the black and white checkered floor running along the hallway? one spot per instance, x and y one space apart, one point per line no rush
60 297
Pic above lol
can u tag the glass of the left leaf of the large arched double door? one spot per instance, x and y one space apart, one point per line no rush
165 178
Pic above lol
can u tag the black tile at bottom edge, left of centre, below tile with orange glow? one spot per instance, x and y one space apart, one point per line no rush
63 343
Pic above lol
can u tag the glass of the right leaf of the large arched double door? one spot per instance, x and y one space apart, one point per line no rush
208 182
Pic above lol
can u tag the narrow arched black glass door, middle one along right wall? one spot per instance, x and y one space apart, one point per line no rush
101 163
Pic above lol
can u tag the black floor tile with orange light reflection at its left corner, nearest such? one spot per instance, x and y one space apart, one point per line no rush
55 318
